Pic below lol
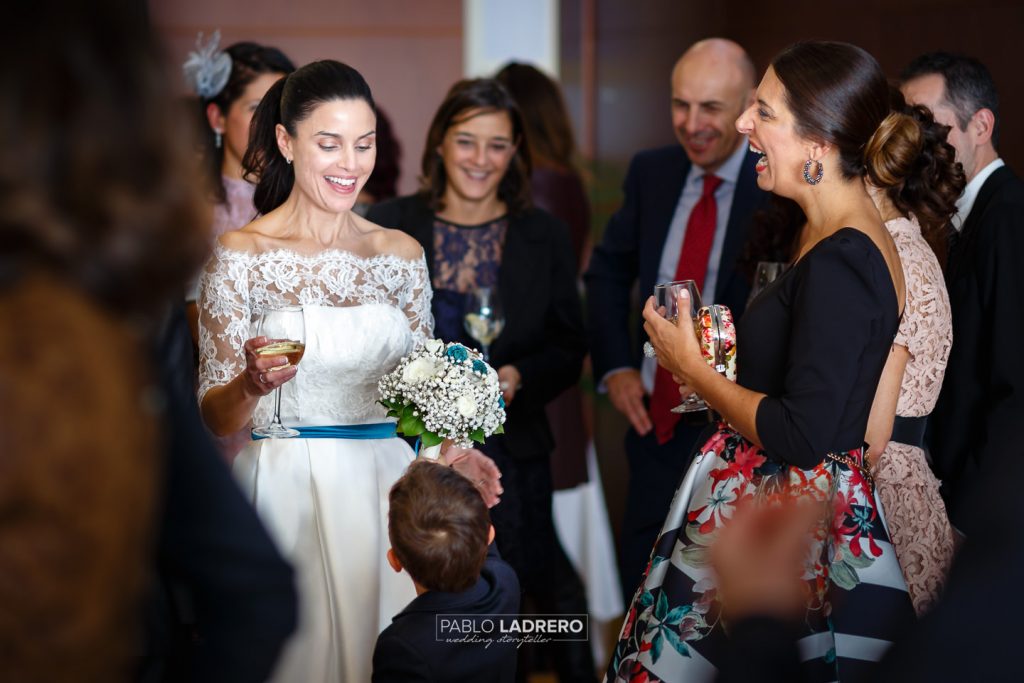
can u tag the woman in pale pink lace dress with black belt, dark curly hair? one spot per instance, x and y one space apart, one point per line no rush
910 387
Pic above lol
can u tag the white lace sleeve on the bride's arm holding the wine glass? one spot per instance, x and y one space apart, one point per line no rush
224 319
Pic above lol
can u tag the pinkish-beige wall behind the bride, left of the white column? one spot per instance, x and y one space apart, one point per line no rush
409 52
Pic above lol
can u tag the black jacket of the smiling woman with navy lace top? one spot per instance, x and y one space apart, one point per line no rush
543 335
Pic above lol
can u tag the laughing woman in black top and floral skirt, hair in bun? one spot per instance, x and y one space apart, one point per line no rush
812 349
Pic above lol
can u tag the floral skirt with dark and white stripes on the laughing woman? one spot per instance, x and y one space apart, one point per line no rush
858 599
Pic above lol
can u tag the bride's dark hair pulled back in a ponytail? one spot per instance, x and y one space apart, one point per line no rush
289 102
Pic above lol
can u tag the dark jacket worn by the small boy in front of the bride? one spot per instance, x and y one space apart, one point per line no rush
410 651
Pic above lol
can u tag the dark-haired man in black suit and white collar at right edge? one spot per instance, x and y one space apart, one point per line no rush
983 397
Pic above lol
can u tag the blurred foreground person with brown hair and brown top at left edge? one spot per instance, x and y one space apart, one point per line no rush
100 229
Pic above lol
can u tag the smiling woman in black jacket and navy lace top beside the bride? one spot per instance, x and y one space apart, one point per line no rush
478 228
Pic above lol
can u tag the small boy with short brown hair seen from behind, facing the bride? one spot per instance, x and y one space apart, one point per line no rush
442 535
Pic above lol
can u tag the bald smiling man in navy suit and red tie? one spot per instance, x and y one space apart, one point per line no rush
686 216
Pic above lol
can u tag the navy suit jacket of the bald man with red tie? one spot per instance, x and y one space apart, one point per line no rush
631 251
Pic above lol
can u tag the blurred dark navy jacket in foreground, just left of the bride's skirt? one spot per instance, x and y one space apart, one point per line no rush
225 603
